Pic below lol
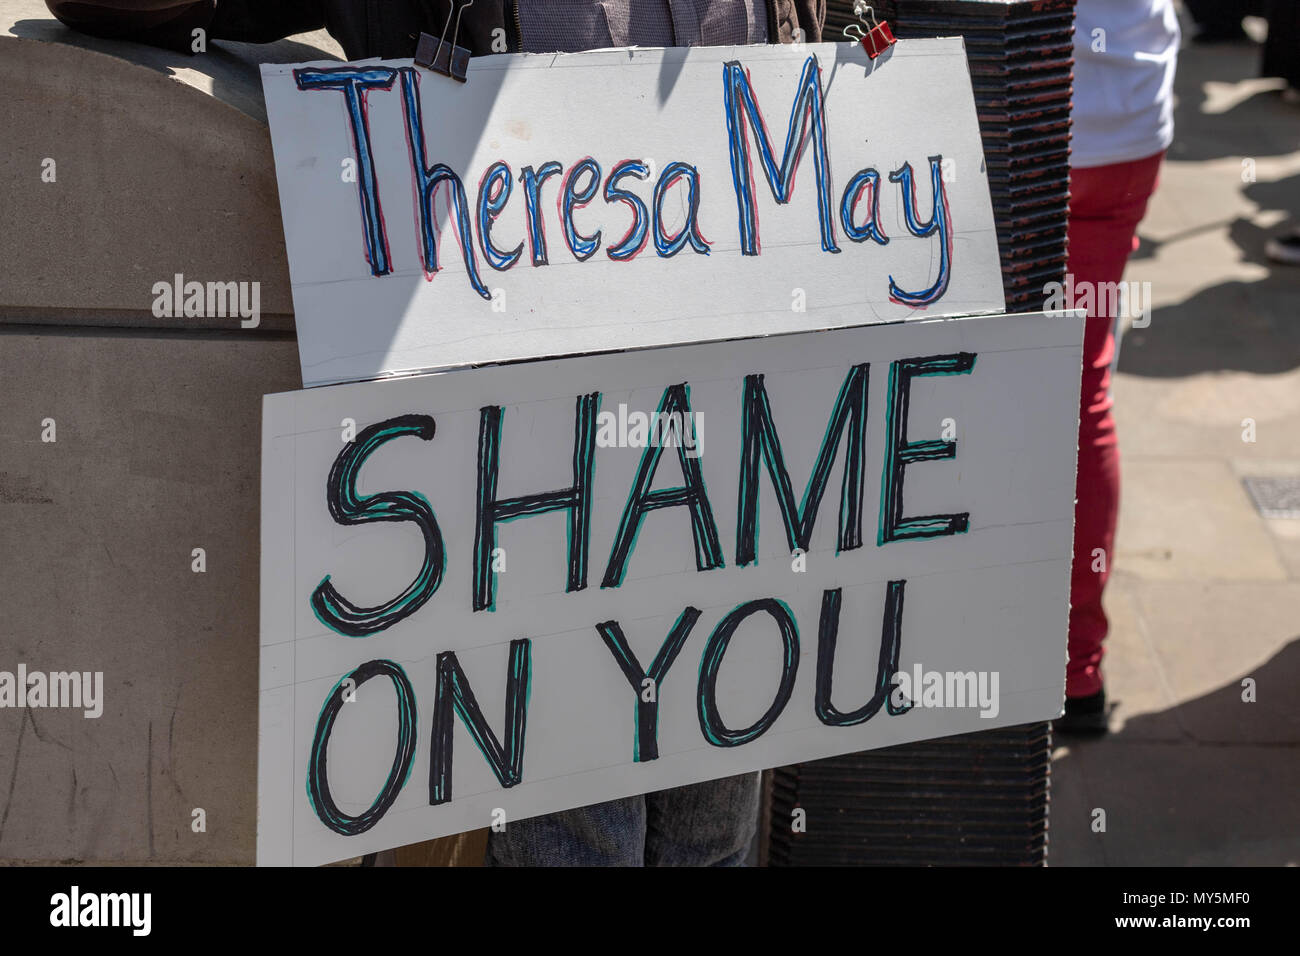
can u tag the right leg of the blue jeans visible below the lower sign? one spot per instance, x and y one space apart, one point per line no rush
707 824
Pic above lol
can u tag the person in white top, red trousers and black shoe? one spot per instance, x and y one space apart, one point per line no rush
1124 122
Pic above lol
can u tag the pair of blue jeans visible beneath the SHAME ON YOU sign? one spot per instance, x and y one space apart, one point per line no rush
707 824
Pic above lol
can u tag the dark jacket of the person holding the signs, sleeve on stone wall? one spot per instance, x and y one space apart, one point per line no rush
365 28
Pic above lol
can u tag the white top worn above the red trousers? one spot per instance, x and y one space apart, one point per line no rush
1125 53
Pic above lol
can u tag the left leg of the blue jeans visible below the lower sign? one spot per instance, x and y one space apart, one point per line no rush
612 834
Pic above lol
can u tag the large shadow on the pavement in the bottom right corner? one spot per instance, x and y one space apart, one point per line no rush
1212 781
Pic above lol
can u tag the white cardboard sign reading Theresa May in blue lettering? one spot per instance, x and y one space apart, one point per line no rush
590 202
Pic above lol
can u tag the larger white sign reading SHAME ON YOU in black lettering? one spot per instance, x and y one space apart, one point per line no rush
517 590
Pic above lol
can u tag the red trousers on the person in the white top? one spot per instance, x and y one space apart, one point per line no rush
1107 204
